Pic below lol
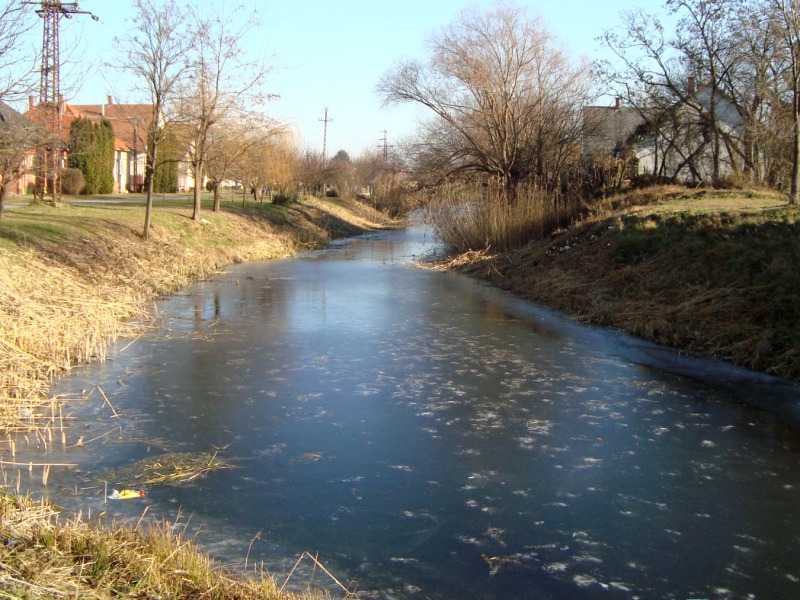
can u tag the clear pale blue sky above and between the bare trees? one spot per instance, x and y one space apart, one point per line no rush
332 54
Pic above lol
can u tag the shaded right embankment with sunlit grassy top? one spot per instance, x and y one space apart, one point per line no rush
714 273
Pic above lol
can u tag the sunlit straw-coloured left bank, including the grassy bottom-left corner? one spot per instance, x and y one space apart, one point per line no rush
71 280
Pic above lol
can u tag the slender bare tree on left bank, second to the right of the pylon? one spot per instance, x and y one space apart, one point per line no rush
223 85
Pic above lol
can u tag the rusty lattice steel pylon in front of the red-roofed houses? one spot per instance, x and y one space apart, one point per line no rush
50 100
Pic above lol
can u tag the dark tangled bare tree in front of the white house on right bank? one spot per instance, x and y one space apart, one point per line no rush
658 76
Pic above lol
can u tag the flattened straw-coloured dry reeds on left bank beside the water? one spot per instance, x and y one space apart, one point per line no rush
49 321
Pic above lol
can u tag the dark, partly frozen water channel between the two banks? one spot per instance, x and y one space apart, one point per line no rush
429 437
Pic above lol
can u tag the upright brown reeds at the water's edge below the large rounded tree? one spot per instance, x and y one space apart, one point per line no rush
479 217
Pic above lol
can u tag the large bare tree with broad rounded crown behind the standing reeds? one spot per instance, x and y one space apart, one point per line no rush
506 99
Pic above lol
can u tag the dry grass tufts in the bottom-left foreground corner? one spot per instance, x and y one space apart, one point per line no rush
43 557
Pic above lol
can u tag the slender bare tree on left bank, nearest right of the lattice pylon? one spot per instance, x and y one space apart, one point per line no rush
156 48
